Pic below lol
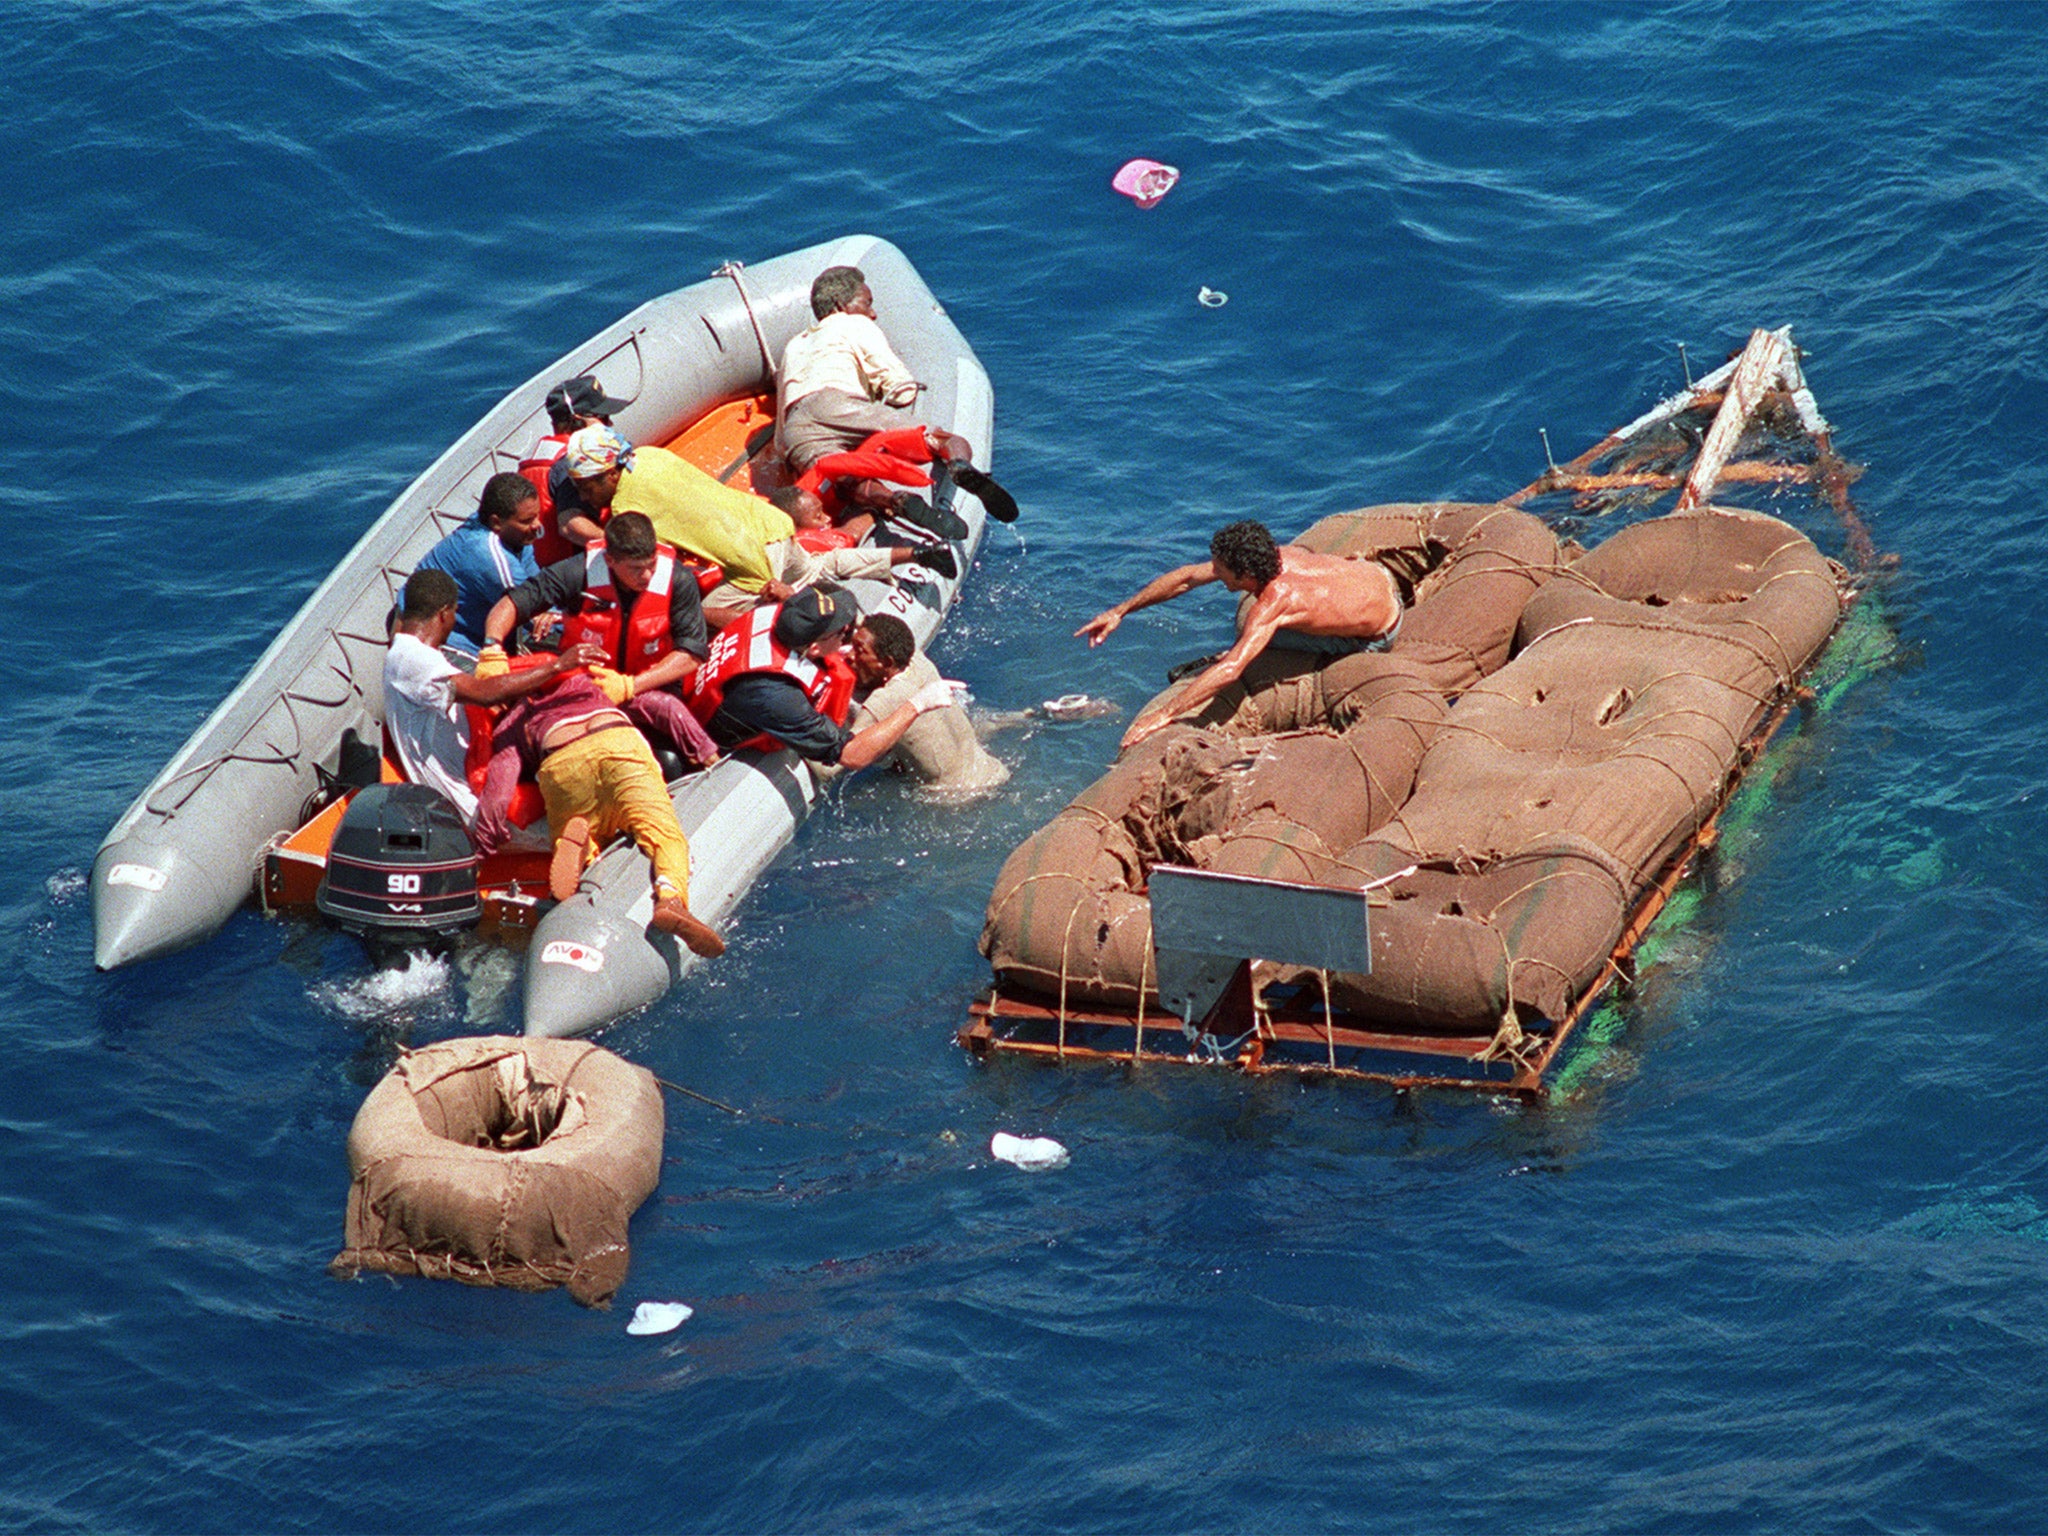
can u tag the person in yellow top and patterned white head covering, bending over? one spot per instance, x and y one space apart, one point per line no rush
753 540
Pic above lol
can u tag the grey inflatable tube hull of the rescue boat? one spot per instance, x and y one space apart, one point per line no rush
183 857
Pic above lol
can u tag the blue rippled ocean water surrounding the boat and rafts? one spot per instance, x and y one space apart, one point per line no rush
1779 1267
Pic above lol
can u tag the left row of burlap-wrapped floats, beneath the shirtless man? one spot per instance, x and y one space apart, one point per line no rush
1283 771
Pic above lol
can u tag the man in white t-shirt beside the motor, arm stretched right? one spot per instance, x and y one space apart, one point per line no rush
425 691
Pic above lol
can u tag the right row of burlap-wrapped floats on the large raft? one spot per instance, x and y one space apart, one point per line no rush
1562 785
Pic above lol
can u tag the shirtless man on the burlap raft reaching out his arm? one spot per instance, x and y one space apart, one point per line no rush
1318 603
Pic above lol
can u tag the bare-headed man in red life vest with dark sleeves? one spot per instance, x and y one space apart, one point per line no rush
630 595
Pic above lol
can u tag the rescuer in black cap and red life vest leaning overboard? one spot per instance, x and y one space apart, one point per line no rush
781 679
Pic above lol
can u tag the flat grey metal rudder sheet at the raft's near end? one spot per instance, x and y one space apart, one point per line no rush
1207 925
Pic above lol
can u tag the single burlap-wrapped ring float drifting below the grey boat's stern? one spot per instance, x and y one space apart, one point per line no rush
503 1162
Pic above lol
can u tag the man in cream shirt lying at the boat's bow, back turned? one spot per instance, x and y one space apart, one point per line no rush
843 384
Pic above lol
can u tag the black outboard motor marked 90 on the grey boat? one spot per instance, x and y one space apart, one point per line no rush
402 871
